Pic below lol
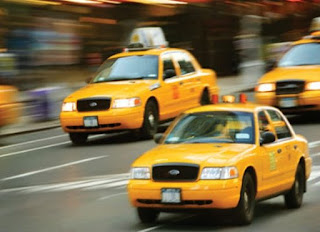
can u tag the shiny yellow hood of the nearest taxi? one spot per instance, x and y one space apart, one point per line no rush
201 154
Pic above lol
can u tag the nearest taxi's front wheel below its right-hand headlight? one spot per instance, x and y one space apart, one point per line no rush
244 212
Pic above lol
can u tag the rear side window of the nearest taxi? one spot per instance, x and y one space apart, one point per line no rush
280 126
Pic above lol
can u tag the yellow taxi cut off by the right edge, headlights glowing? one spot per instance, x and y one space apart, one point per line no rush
294 85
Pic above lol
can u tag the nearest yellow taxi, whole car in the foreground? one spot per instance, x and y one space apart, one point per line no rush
223 156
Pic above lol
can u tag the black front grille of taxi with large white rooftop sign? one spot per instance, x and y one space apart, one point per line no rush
93 104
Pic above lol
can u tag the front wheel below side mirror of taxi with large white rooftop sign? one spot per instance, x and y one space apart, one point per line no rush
150 120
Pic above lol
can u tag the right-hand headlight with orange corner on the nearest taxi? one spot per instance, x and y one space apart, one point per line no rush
222 173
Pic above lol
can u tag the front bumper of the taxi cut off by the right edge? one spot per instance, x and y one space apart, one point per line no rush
305 101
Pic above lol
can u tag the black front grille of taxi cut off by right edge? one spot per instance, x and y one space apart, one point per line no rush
289 87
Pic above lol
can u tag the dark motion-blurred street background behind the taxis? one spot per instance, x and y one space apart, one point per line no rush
49 47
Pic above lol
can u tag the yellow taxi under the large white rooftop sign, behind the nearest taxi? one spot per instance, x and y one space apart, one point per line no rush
136 90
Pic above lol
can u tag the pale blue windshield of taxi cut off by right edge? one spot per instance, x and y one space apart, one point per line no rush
302 54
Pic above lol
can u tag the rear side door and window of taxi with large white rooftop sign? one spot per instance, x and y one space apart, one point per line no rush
189 80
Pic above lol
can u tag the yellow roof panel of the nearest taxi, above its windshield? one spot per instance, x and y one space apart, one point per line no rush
244 107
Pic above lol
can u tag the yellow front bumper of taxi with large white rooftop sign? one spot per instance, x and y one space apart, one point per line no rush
109 120
